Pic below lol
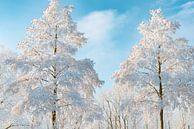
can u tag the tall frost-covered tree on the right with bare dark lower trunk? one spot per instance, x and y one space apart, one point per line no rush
160 67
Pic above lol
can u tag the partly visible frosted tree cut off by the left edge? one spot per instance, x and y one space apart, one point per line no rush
7 97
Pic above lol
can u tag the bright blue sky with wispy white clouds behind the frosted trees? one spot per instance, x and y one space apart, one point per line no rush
109 25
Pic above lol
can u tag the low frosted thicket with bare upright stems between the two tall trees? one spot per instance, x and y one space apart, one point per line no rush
120 110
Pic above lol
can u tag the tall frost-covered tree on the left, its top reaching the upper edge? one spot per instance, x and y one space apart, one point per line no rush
50 78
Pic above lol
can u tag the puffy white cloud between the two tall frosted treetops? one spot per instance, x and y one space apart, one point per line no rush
98 26
